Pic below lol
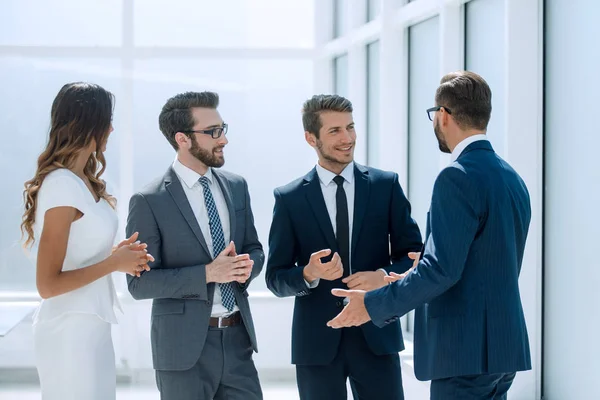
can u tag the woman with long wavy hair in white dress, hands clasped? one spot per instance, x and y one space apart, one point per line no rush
70 225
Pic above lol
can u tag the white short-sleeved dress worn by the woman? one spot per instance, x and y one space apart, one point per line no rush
72 332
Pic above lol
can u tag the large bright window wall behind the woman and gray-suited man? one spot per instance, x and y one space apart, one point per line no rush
258 99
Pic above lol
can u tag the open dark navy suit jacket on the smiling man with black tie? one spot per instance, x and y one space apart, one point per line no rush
382 235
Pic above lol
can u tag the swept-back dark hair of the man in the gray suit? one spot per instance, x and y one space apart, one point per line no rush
176 114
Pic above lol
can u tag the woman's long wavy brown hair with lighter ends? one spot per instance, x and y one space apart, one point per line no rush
81 113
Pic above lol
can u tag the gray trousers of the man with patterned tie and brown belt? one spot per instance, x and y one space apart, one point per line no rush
225 370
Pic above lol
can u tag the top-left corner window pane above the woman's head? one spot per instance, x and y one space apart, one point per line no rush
61 23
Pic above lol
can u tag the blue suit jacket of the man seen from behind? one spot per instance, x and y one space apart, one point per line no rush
469 318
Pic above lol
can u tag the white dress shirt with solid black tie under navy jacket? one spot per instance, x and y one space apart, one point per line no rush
329 189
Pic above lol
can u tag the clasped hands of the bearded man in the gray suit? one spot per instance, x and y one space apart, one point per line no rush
229 267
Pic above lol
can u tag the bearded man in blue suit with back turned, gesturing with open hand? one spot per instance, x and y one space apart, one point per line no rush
470 336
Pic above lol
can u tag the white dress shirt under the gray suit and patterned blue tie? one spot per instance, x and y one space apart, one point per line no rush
195 195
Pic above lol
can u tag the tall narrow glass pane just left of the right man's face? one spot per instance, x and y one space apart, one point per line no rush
423 152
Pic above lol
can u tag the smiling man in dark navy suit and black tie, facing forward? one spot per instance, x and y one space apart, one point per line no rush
342 225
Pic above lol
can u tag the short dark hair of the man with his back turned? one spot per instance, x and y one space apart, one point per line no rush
468 97
